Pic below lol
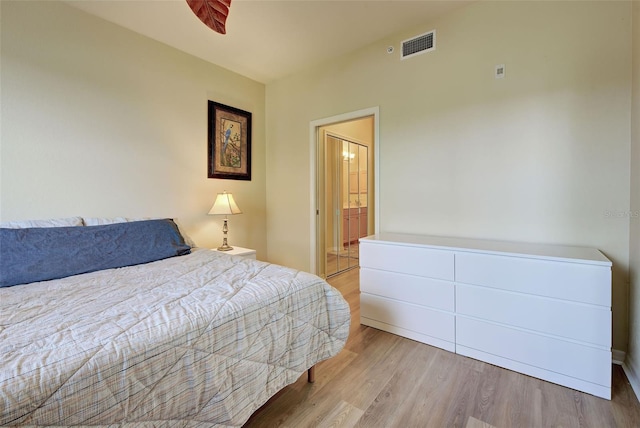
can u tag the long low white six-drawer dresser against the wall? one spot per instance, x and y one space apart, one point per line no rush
541 310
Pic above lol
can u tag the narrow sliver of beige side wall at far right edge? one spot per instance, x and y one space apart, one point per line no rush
633 356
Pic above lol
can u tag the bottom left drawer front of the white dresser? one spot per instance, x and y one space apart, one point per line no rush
408 316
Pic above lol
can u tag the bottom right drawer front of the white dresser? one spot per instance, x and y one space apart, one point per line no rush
567 358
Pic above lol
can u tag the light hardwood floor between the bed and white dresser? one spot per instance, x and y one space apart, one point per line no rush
383 380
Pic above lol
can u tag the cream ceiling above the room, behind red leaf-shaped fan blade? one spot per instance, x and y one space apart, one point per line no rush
270 39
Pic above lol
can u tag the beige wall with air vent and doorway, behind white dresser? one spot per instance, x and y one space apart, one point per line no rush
540 156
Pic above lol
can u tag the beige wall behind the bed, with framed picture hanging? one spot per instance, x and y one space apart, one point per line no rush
99 121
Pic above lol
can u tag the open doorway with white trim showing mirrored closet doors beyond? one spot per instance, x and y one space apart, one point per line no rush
344 161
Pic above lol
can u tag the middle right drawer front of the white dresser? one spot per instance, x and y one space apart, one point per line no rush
576 321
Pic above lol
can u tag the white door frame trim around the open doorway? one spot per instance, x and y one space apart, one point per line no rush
313 144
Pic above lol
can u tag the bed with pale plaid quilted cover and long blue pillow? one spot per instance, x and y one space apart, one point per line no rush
200 338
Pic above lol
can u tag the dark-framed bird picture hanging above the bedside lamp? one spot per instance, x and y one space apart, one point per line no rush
229 142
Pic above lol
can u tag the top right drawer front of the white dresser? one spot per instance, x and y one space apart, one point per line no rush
569 281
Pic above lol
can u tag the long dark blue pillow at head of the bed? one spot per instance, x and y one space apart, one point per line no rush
39 254
